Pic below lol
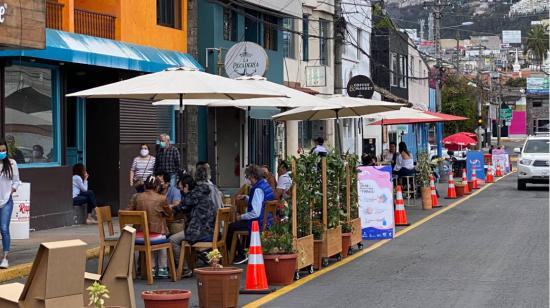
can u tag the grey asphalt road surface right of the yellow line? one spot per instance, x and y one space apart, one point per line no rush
490 251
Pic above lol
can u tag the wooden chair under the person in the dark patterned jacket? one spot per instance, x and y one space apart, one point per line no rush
223 218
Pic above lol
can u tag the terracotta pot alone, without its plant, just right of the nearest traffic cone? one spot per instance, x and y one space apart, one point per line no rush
280 269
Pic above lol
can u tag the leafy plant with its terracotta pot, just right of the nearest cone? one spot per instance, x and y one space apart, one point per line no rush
279 254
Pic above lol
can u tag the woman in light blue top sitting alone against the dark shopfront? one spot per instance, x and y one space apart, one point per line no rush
81 194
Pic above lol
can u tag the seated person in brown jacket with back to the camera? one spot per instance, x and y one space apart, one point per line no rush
157 210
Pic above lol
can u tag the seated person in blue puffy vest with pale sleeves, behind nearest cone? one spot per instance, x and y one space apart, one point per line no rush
260 192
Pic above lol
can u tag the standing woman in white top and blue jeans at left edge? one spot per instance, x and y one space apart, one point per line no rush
9 182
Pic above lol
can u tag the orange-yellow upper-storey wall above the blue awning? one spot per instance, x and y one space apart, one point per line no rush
136 22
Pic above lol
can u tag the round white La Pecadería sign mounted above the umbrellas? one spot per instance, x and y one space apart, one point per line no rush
246 59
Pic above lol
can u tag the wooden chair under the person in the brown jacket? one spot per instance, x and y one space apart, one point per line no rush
139 218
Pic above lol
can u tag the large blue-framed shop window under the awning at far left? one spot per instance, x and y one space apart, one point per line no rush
32 115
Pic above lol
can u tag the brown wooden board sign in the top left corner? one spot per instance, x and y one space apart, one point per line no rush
22 24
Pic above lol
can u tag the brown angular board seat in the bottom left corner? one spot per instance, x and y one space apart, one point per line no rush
55 279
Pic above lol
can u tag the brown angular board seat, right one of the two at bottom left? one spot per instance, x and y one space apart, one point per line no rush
117 276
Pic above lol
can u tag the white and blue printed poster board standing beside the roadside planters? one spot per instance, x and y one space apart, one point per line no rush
375 190
